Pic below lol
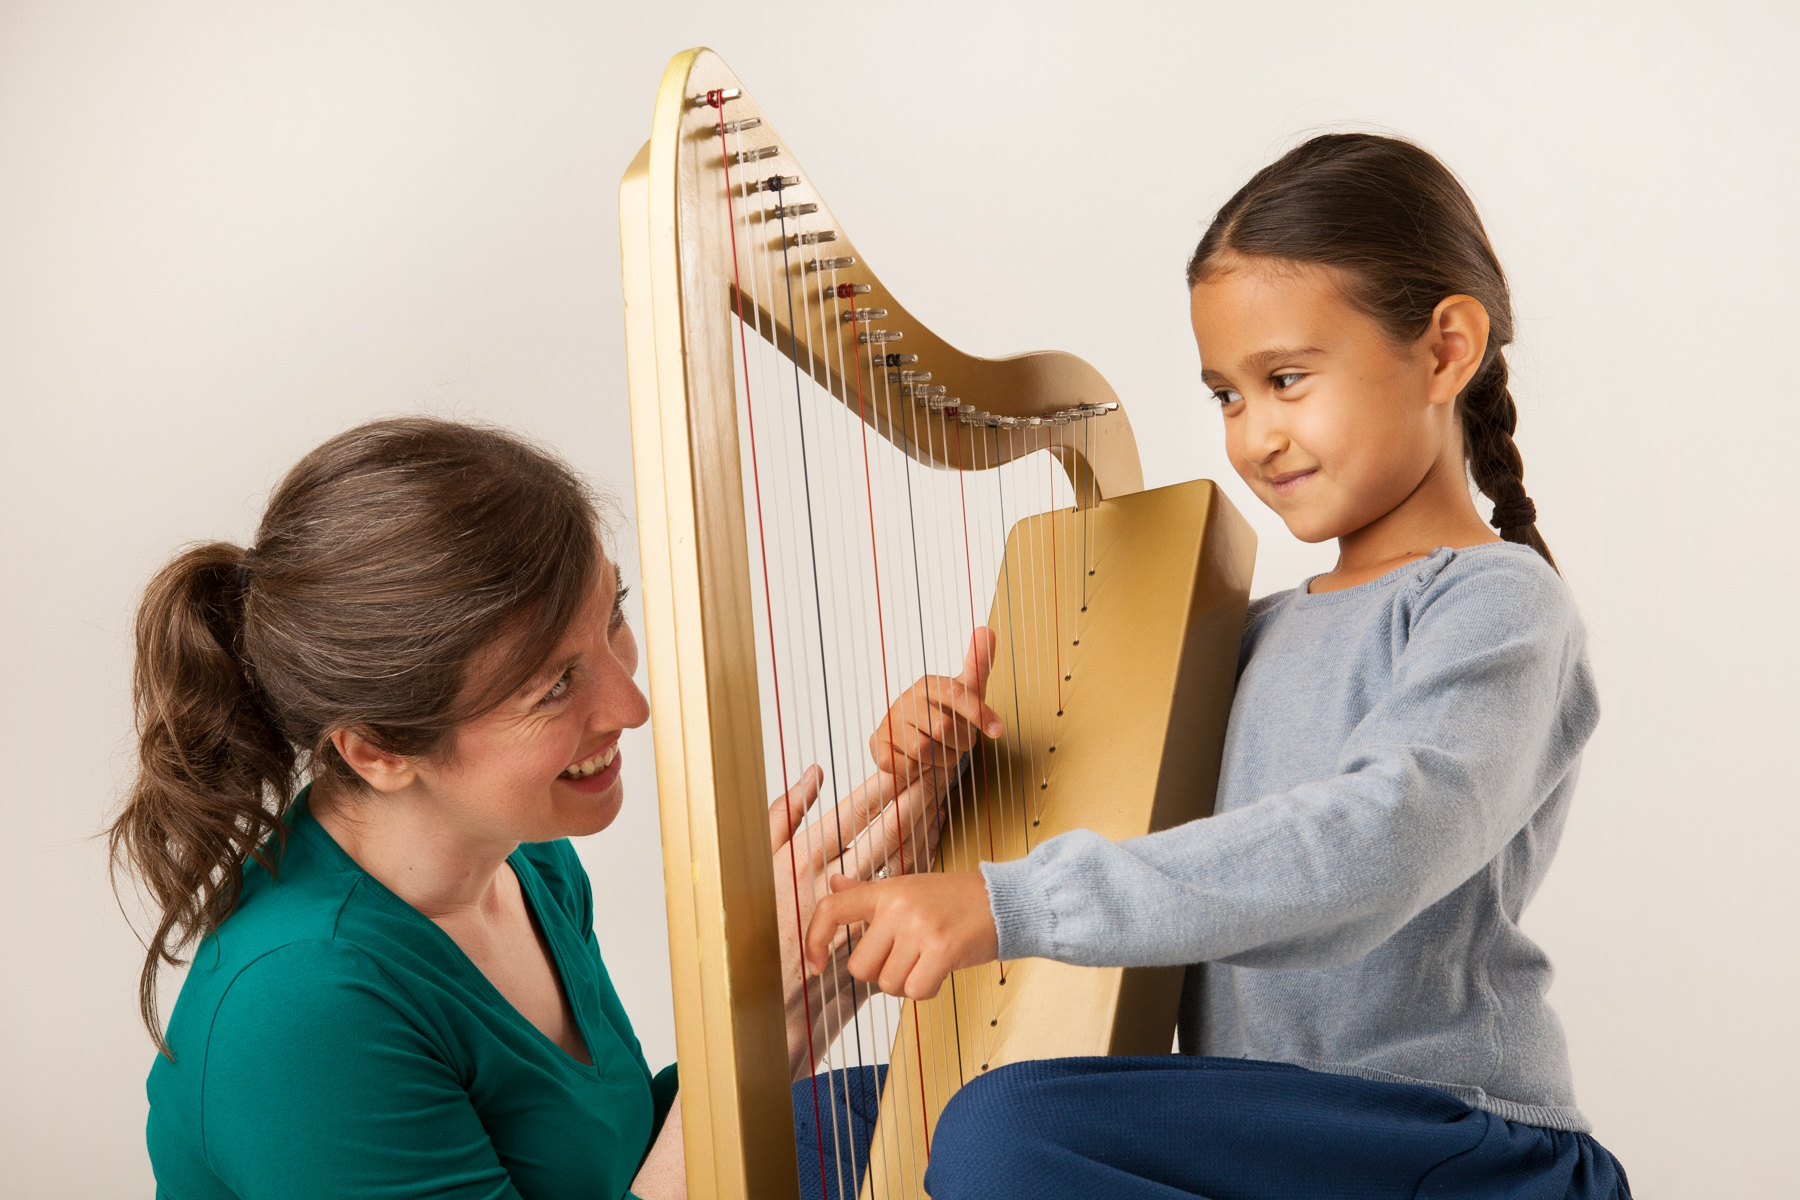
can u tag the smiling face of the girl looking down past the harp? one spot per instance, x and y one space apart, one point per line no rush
1327 420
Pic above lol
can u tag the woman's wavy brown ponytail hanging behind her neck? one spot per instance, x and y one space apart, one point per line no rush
215 771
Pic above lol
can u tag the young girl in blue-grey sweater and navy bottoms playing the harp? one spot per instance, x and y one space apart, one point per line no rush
1367 1019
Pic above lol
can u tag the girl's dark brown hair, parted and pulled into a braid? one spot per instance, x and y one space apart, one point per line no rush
1405 235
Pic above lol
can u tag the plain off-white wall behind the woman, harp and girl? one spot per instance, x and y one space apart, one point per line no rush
229 231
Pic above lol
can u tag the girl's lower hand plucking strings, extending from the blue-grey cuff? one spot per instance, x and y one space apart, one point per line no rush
917 929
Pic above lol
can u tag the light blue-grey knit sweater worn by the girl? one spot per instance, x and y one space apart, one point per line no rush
1398 771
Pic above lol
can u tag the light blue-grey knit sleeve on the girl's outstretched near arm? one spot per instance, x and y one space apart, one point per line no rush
1489 710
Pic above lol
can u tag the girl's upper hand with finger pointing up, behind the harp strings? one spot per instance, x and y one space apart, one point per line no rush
937 719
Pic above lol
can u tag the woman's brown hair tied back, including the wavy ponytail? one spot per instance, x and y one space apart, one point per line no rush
388 560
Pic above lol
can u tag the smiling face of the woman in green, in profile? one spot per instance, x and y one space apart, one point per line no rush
546 764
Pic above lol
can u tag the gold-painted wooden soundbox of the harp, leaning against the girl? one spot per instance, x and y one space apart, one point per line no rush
1137 751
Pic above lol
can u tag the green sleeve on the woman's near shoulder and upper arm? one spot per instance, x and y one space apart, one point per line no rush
318 1084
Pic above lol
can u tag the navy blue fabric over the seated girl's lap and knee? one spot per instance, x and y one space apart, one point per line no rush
1234 1129
